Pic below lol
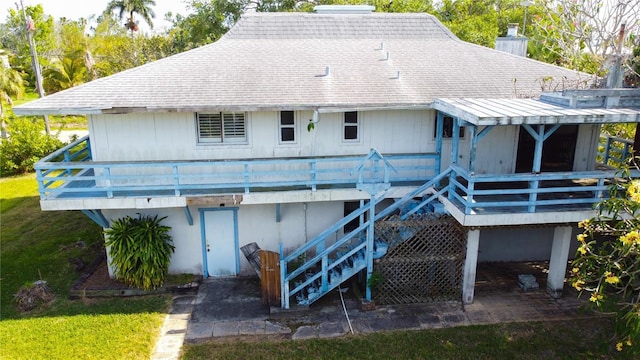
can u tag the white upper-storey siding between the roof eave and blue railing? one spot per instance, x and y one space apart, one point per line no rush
172 136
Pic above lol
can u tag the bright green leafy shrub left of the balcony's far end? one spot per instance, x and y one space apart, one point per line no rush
27 143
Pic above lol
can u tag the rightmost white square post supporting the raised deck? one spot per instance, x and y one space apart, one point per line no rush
558 261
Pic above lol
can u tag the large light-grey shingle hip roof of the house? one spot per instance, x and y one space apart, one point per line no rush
277 61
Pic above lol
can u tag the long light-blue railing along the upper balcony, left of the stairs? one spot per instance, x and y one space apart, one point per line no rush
70 173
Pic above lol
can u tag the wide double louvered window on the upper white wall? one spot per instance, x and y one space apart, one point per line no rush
221 128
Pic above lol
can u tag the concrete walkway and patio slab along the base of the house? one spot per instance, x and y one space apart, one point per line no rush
232 307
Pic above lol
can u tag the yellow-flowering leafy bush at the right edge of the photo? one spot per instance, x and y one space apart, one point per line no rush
607 267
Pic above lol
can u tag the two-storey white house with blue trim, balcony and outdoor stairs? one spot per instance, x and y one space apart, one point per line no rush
297 131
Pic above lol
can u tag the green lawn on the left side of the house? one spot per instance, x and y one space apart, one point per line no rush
39 245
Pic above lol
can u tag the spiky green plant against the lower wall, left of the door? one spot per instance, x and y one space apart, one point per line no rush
140 250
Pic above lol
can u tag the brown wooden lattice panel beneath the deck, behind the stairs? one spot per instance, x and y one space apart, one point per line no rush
424 261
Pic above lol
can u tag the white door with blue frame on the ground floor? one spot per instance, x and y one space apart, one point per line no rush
221 242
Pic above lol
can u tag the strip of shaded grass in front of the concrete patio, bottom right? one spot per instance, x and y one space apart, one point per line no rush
576 339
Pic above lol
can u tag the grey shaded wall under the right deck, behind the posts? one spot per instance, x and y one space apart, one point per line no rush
519 244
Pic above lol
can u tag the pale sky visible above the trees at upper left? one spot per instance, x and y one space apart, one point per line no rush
75 9
